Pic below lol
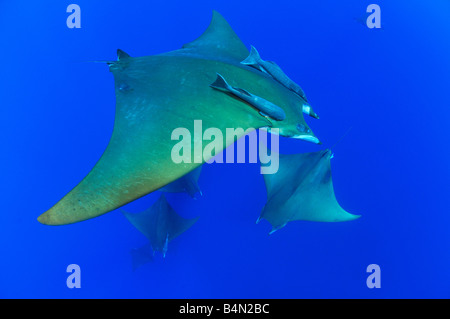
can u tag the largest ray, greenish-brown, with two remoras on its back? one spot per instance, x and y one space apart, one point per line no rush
157 94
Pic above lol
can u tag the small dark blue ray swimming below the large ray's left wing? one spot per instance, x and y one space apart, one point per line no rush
160 224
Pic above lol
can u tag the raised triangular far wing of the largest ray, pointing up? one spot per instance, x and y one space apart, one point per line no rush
219 39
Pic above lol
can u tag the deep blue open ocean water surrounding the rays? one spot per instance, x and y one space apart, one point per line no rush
390 85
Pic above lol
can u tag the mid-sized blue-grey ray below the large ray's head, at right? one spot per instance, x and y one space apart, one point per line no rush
302 189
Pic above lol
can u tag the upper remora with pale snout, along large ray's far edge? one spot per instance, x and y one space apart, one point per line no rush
271 68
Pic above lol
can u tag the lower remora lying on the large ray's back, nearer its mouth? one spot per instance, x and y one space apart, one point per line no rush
265 108
